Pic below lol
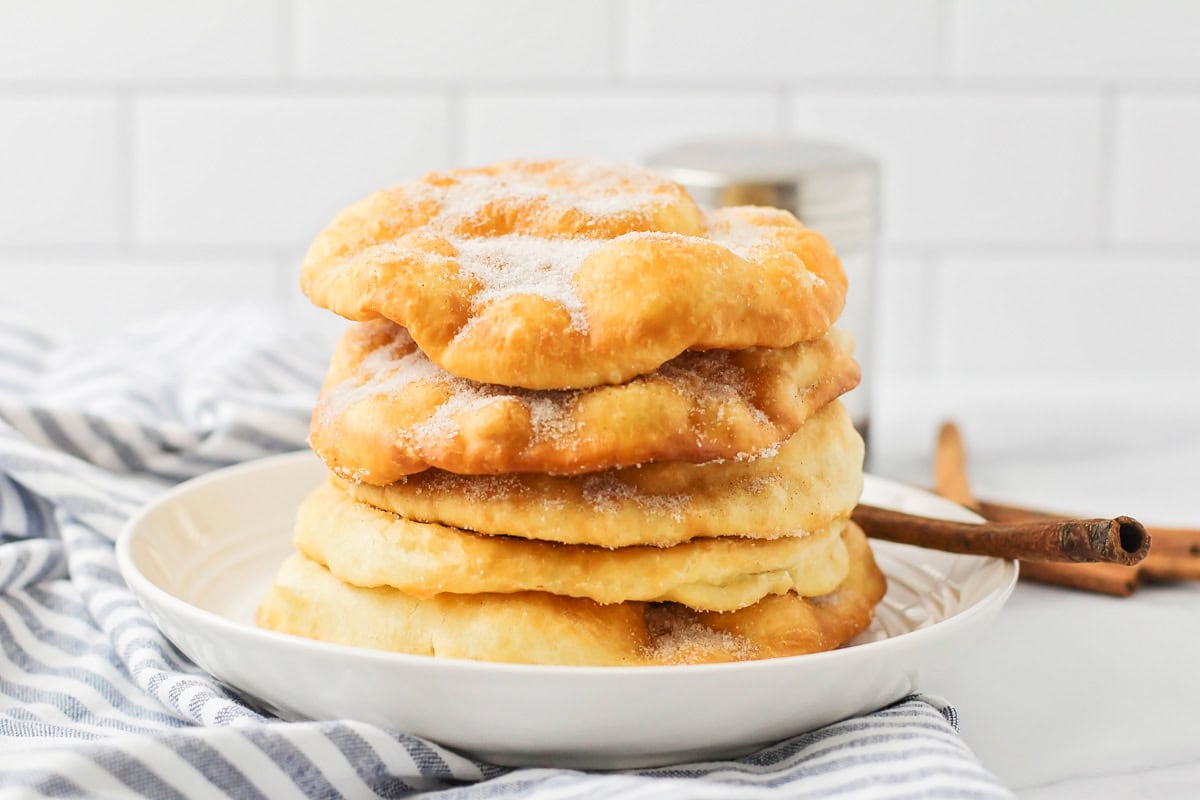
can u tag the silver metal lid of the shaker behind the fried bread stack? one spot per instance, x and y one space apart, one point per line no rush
833 189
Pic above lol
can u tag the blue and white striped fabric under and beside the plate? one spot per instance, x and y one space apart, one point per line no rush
95 702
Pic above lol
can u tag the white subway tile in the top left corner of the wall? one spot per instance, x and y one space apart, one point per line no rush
131 40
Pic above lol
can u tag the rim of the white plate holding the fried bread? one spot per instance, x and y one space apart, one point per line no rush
143 588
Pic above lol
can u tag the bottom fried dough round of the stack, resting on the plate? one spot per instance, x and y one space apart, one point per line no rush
545 629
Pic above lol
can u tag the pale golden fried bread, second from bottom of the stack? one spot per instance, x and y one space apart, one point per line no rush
367 548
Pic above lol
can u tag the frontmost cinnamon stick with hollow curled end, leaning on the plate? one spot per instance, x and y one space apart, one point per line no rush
1117 542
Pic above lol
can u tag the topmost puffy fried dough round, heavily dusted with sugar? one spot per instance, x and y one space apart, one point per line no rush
568 275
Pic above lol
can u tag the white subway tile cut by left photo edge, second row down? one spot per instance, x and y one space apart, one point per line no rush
61 176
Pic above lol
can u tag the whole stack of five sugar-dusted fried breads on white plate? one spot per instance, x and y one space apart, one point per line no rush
579 422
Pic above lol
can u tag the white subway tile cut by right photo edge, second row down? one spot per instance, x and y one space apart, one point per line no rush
1157 170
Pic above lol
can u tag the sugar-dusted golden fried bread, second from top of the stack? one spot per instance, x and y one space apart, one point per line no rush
387 411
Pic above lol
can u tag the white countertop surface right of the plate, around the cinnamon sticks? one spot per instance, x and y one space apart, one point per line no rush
1075 695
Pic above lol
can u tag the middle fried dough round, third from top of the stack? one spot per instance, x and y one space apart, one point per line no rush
815 479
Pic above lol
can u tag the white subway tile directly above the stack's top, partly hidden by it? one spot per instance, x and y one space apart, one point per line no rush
622 127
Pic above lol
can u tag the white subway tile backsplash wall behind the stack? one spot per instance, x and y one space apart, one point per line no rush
1042 169
